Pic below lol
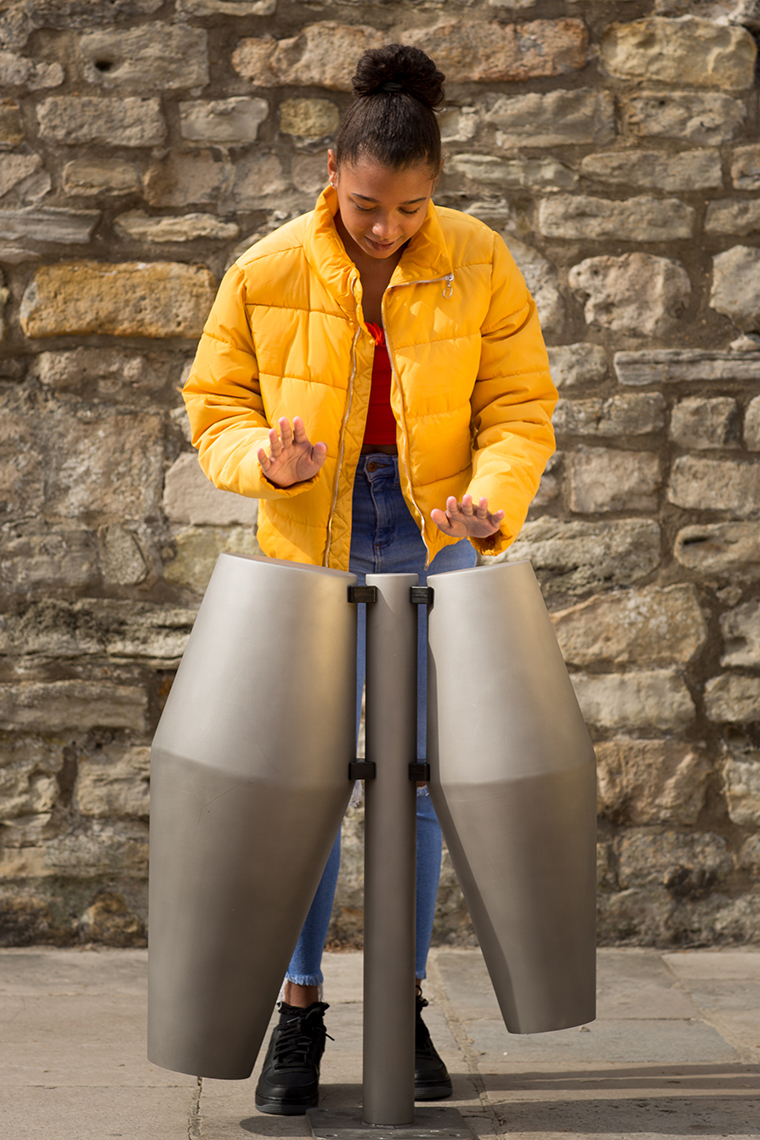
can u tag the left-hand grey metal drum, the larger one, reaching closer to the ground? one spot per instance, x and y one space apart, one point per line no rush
250 784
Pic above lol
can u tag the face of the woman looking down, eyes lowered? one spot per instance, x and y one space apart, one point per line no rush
381 208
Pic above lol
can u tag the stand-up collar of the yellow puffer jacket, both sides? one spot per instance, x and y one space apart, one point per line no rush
426 258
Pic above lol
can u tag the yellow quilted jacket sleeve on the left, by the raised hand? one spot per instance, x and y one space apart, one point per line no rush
224 400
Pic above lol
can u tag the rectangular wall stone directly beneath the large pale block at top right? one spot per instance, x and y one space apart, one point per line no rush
708 119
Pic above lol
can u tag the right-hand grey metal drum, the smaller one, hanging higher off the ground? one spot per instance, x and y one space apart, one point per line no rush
513 781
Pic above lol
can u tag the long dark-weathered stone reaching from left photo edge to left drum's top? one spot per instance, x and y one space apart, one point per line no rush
97 628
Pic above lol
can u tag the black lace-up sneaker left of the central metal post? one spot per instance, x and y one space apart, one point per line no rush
290 1080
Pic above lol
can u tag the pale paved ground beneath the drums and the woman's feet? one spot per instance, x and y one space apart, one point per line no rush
675 1053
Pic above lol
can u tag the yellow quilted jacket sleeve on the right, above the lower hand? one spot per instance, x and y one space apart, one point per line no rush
512 404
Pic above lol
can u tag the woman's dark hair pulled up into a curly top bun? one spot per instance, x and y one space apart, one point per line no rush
394 120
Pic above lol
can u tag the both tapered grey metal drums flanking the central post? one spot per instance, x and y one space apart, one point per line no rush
250 781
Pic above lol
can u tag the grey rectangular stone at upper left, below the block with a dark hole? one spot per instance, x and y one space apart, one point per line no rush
73 119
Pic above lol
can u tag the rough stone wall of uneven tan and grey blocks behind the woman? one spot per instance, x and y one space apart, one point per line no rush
616 145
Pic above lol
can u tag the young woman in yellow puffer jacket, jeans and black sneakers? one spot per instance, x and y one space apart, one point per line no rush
374 372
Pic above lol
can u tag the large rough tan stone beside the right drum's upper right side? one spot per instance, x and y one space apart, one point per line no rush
650 626
